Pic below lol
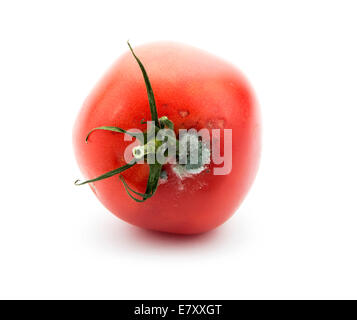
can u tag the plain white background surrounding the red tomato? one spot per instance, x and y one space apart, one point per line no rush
295 236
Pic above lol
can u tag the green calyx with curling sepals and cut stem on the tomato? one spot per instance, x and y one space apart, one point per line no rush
149 146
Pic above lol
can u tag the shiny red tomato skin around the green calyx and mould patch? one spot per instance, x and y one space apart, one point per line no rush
195 90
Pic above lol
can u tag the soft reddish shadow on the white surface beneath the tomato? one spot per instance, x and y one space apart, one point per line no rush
119 236
